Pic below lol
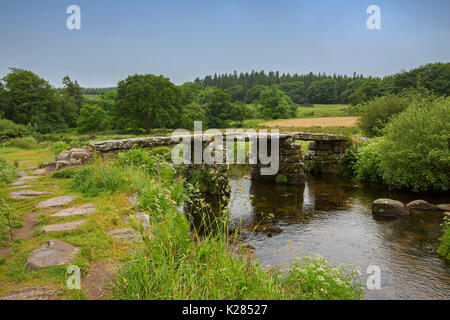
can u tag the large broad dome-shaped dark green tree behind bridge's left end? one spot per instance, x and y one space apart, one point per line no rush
148 101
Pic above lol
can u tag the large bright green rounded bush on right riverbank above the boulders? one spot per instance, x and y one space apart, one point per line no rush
415 150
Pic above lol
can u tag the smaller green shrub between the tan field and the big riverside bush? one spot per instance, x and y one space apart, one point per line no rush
378 112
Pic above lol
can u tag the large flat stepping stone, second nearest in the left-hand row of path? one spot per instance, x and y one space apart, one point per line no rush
52 253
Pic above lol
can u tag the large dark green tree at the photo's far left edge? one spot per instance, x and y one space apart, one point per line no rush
28 99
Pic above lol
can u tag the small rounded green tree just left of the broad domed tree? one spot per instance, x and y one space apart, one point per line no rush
92 118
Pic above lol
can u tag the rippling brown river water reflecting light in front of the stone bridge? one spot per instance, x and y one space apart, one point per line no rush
333 218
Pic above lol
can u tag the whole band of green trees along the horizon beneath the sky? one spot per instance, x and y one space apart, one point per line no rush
144 102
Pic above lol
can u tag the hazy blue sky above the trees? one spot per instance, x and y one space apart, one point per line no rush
185 39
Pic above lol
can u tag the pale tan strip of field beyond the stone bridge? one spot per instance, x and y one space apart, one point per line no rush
314 122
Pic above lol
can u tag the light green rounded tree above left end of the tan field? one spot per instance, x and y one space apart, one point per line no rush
275 104
